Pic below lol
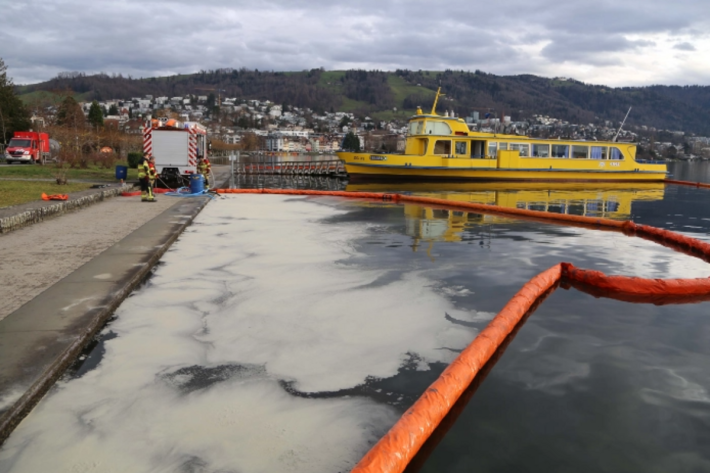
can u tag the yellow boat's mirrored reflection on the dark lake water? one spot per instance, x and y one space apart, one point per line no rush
610 200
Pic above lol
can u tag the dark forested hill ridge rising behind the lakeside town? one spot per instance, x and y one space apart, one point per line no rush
375 92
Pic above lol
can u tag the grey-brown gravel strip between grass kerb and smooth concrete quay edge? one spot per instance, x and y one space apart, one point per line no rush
35 257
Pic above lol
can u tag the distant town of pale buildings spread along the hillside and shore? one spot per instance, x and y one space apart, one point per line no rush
262 125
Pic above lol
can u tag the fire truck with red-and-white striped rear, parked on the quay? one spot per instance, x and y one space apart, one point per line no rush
175 146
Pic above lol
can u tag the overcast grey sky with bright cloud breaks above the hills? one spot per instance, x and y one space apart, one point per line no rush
616 43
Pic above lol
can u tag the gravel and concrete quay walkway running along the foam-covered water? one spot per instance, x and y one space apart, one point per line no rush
62 279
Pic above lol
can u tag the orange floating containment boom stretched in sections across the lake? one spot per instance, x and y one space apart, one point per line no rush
400 444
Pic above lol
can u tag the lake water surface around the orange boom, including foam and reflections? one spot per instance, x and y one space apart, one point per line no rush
289 333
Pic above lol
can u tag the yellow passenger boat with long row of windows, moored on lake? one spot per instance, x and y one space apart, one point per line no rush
440 147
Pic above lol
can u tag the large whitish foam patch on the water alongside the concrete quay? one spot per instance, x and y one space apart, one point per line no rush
262 287
